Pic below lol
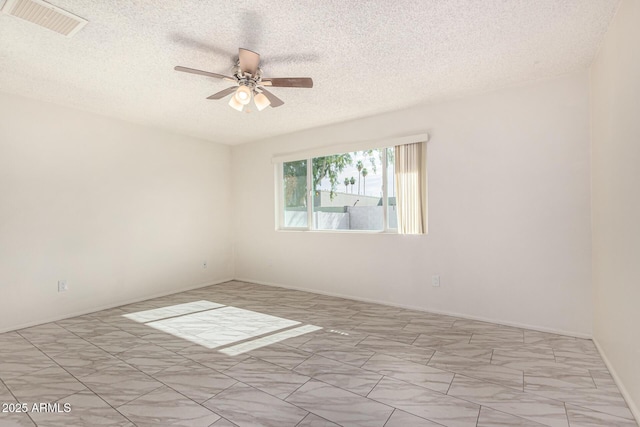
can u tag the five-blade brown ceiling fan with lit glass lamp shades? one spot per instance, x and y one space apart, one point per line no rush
249 84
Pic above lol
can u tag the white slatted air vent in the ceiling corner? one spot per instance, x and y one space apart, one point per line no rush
45 15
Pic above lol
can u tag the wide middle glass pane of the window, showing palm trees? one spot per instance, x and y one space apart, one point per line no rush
348 191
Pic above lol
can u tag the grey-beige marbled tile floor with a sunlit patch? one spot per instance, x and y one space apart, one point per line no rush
239 354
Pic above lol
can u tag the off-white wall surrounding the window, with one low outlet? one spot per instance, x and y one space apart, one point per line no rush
509 212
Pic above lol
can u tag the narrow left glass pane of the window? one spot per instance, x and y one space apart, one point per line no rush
295 193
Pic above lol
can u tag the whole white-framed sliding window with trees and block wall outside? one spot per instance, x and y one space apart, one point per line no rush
346 191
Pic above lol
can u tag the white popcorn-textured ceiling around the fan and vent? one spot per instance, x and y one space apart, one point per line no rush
365 57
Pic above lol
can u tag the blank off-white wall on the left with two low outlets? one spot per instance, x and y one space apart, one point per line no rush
120 211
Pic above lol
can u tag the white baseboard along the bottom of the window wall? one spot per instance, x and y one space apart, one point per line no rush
426 310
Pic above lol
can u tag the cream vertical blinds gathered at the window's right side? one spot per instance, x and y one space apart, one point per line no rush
411 182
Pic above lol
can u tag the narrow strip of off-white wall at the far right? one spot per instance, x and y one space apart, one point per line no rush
615 88
